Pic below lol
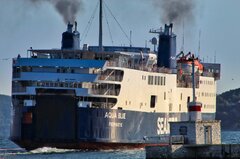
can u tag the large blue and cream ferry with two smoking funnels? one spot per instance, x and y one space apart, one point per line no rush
106 97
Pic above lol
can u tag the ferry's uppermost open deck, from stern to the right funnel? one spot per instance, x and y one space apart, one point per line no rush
126 57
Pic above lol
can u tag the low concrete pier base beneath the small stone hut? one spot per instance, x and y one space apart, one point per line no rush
221 151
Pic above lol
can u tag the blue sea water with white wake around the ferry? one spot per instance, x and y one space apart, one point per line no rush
8 150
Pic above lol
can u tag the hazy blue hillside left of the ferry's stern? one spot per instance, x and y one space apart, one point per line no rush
5 116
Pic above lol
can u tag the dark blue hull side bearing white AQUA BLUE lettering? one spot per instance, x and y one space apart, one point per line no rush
122 126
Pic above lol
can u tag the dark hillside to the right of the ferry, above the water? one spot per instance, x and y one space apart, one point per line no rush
228 109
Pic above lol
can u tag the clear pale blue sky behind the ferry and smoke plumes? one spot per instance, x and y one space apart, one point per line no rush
24 25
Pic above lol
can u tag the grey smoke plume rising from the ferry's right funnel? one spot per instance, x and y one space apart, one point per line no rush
176 11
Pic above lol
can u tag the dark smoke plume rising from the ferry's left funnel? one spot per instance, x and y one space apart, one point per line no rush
68 9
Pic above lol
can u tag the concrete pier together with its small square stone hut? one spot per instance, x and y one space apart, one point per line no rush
194 139
